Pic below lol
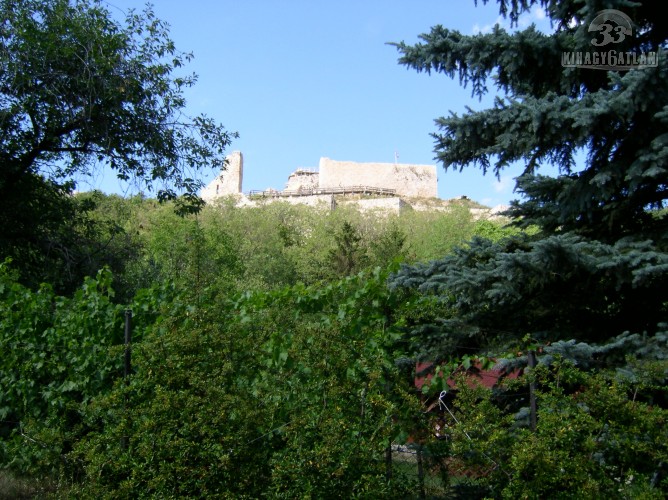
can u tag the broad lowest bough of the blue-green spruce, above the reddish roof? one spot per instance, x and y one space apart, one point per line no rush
555 288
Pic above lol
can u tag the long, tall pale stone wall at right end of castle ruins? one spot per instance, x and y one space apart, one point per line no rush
414 181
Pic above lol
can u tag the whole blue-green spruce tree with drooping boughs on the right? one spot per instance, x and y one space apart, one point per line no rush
598 267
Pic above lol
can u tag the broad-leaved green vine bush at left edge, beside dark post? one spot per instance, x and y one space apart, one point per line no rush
57 355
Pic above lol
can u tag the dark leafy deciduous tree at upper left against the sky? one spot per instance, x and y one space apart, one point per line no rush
80 91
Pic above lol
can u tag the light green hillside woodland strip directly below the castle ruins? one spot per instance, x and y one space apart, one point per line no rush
280 244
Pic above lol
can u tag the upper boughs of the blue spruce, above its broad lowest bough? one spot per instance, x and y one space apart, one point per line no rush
547 114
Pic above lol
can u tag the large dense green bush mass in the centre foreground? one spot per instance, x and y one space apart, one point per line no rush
225 403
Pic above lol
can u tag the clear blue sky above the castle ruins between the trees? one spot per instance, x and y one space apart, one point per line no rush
304 79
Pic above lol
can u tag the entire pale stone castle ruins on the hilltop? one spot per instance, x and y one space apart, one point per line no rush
371 185
